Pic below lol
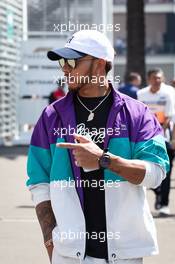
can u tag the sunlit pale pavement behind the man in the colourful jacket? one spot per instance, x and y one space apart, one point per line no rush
20 235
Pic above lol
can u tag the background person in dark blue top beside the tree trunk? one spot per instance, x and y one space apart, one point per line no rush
132 82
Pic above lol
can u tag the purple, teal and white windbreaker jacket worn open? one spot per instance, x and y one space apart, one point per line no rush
135 134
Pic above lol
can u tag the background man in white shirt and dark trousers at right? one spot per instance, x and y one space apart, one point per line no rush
159 97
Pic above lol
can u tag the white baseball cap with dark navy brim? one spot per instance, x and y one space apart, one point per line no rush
82 43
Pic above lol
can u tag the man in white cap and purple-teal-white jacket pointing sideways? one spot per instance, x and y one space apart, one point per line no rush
89 189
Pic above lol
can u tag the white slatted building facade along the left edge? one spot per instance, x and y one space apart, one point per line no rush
10 43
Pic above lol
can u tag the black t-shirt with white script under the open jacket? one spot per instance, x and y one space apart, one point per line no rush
94 195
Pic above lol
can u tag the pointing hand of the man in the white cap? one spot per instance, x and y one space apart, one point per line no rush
86 152
